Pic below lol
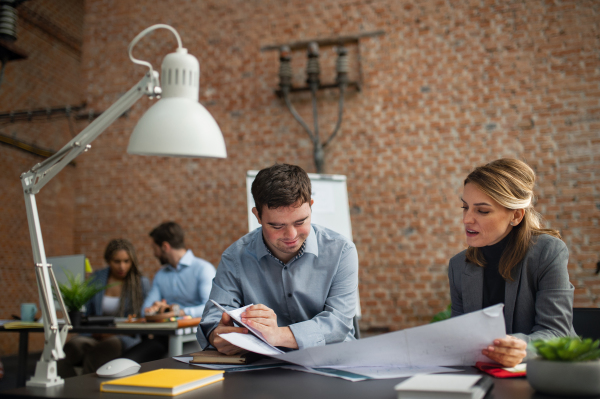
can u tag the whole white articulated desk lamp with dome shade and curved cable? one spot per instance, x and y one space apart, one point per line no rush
177 125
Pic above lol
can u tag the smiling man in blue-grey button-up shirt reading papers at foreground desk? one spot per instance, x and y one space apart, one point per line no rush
301 278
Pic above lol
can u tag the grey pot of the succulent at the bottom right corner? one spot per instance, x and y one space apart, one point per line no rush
564 378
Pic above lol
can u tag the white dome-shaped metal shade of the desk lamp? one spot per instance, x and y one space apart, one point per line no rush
178 125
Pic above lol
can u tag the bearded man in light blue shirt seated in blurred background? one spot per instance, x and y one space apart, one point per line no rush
184 279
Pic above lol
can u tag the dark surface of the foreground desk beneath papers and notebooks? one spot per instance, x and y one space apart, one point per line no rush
273 383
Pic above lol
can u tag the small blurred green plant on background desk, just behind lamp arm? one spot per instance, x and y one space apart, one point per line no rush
76 293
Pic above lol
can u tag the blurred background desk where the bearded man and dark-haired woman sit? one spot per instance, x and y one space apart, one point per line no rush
176 339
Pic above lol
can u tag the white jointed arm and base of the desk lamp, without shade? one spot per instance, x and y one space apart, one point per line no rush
33 181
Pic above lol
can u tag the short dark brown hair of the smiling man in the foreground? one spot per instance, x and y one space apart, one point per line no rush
281 185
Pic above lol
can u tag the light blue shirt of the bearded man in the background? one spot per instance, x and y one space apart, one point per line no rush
188 284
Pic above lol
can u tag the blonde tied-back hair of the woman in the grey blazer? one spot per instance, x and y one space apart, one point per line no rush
510 183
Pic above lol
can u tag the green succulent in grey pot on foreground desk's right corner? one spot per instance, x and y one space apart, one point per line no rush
567 366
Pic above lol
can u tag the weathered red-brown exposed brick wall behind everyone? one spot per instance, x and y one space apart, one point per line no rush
449 86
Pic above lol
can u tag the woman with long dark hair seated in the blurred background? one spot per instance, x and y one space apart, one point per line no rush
124 296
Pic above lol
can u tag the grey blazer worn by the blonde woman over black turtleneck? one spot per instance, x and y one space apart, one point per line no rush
538 303
